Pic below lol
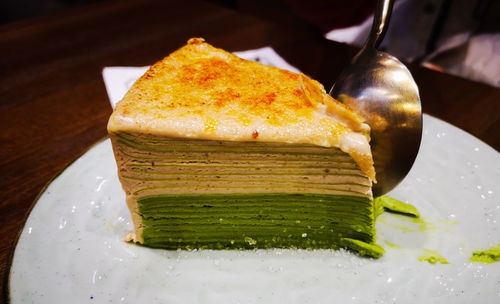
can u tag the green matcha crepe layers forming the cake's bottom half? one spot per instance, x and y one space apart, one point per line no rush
277 220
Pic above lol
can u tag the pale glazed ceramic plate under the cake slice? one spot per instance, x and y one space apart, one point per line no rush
70 250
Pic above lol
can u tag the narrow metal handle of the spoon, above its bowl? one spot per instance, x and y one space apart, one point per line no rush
380 23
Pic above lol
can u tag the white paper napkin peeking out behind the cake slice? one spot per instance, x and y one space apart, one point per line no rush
118 80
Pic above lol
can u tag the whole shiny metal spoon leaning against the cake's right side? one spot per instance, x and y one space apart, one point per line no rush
382 90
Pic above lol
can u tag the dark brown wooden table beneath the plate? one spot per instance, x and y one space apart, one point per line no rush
54 104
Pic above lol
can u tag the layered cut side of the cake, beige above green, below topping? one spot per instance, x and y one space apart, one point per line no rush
220 194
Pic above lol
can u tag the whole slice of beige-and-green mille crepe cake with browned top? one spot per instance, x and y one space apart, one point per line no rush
215 151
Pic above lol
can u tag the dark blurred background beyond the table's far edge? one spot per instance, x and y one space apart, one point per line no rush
460 37
